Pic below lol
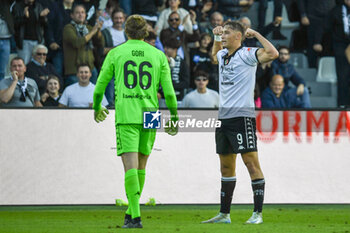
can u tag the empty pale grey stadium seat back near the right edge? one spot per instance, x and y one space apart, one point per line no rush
326 70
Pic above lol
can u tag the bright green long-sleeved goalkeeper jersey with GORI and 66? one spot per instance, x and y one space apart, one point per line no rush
139 69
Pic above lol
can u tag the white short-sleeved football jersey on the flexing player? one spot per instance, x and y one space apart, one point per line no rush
237 74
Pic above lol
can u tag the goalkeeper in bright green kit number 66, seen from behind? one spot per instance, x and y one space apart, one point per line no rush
139 69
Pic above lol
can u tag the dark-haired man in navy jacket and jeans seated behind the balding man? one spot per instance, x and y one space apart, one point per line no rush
282 67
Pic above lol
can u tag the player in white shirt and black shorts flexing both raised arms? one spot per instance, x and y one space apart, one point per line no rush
237 68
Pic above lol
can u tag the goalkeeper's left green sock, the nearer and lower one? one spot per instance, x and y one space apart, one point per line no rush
132 189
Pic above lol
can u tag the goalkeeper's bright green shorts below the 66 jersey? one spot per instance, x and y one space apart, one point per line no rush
134 138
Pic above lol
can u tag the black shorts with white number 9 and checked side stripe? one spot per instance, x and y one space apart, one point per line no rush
236 135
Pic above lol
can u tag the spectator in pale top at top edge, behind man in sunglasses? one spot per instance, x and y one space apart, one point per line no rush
173 5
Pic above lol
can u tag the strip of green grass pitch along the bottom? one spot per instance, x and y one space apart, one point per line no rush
173 219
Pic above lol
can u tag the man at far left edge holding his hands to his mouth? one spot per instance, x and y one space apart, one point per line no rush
19 90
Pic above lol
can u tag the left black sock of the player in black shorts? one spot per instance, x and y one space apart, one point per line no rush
227 186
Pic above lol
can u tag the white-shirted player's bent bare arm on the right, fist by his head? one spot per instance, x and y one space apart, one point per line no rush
268 52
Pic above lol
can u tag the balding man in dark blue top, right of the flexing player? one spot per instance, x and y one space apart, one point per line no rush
276 96
